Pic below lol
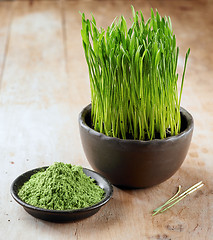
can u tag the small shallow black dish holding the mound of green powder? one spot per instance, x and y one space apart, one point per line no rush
58 215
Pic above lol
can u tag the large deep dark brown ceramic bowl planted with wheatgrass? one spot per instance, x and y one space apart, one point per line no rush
135 163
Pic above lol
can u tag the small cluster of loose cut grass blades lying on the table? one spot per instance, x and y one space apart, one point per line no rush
177 198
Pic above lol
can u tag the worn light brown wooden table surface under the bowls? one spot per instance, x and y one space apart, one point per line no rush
44 85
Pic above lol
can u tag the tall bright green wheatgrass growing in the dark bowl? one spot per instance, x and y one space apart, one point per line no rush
133 78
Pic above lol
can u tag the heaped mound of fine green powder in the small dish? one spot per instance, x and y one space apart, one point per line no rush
61 187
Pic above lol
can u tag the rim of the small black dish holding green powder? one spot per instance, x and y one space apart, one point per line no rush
106 198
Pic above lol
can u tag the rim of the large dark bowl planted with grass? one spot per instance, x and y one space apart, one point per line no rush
183 111
